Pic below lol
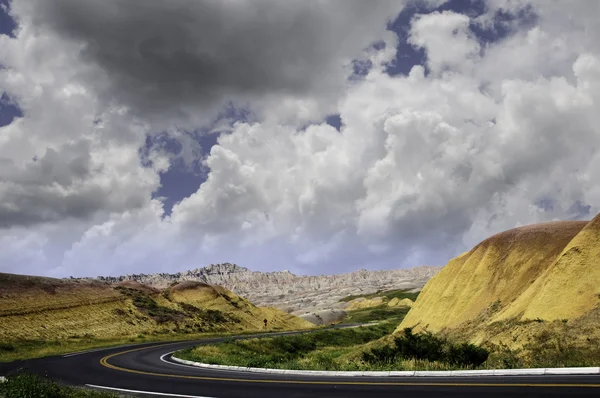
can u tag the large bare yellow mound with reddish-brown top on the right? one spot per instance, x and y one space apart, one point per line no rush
516 284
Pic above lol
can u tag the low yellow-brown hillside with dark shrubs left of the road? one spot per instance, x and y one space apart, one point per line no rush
55 314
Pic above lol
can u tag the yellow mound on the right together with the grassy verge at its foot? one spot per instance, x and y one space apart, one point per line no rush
525 298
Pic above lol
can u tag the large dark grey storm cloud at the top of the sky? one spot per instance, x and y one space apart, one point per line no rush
169 57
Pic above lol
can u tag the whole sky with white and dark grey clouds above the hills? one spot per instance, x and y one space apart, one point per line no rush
142 136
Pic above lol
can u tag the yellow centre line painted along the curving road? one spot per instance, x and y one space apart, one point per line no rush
104 362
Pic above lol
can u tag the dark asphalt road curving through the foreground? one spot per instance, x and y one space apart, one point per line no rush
140 368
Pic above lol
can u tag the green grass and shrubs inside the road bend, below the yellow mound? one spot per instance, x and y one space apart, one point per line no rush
375 348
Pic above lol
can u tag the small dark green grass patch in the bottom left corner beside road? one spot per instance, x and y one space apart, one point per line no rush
27 385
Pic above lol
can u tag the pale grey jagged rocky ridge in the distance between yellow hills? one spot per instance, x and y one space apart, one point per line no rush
292 293
